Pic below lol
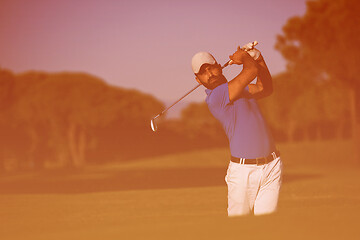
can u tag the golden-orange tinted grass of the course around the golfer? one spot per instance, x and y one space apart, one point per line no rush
183 196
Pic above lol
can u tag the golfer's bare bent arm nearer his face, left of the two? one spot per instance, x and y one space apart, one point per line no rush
249 72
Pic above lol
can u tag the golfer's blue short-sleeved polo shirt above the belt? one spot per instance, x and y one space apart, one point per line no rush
245 127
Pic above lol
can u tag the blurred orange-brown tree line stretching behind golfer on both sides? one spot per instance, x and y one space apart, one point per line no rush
50 120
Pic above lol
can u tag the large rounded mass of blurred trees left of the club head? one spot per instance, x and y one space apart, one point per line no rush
57 118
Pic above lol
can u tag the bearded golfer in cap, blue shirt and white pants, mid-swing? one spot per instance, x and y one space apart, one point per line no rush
254 173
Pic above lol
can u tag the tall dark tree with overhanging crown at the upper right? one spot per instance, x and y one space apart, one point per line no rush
326 42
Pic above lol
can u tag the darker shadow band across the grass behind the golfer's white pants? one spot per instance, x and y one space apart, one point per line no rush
85 182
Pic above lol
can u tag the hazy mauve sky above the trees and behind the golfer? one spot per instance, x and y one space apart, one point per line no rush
139 44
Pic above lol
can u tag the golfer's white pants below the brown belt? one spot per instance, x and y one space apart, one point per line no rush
253 188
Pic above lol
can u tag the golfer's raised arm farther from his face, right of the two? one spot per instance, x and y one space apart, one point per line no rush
263 86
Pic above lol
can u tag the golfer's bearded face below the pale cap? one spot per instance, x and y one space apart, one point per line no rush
210 75
